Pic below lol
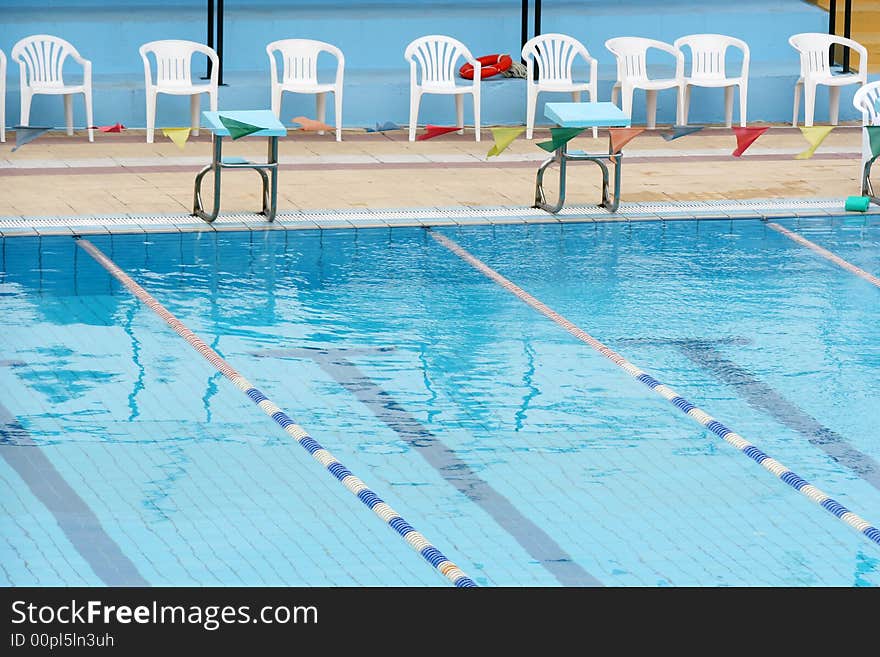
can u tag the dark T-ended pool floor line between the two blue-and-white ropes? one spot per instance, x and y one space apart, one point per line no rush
456 472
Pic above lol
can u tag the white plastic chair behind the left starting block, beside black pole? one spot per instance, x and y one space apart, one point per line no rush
174 76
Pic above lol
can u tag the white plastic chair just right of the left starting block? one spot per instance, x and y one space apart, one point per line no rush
300 75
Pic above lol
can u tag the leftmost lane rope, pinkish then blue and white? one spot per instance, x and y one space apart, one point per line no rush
418 542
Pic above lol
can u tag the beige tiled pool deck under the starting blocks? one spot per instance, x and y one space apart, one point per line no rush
60 184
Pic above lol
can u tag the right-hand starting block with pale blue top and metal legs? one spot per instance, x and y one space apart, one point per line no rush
582 115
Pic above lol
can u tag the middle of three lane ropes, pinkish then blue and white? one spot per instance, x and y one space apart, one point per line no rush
859 524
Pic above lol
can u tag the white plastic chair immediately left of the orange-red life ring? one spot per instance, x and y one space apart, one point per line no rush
433 64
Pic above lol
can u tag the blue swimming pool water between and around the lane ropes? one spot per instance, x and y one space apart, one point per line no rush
522 454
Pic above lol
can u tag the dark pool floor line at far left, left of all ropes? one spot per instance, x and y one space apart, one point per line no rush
74 517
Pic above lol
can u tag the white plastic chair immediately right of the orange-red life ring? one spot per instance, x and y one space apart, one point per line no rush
555 55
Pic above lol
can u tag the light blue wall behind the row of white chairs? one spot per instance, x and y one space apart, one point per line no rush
373 36
